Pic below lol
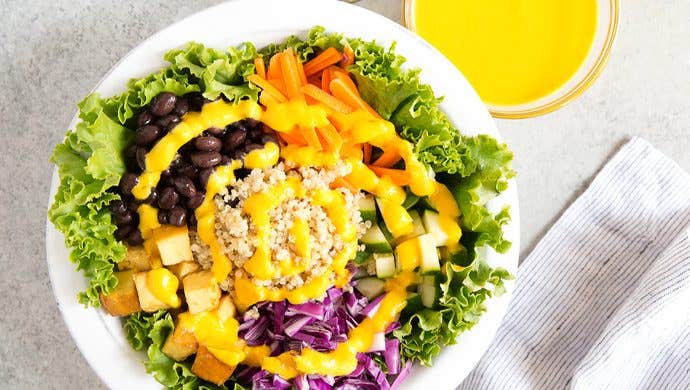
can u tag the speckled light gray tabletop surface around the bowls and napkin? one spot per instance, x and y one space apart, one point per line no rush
53 52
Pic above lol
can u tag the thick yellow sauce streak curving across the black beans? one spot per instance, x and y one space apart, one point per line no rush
216 114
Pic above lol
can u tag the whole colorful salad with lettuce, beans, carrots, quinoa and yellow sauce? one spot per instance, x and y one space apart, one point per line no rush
300 216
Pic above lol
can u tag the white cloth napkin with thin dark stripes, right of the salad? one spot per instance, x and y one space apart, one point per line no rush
603 301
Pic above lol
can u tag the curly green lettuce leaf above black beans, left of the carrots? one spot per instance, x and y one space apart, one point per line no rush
218 72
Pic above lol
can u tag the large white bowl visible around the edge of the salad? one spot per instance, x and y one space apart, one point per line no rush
100 337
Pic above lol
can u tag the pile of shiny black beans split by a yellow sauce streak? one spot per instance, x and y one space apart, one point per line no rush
182 186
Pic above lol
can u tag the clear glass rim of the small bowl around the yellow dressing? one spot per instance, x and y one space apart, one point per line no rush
561 99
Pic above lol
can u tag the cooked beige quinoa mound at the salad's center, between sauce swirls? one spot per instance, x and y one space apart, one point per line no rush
237 235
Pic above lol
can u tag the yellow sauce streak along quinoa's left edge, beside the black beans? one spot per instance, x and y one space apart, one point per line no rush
222 177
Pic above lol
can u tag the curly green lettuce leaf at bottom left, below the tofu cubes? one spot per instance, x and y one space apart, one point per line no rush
149 331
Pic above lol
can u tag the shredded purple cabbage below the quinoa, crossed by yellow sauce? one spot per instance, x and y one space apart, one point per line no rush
320 326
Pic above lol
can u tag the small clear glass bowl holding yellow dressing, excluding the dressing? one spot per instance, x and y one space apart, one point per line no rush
607 26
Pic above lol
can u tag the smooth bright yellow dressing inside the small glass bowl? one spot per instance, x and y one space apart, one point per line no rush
511 51
